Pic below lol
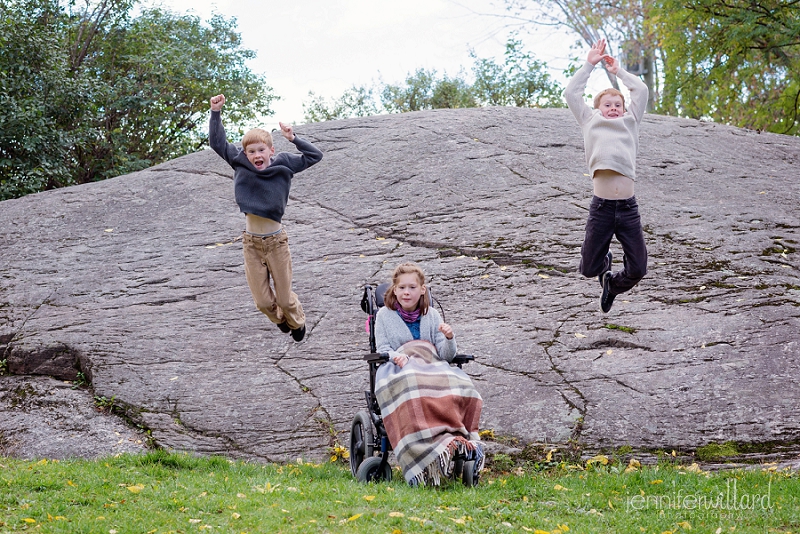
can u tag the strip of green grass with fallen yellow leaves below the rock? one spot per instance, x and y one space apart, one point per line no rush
162 492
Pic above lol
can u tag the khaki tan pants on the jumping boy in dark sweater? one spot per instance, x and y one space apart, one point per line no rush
268 258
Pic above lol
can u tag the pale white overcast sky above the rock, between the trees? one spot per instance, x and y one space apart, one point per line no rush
327 46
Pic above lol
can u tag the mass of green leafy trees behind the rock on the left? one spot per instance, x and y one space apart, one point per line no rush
90 91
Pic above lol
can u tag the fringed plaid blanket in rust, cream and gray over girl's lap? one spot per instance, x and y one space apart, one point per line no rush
430 410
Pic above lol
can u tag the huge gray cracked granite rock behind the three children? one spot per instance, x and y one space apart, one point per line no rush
137 282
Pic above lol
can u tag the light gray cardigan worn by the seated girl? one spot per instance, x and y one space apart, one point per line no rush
391 332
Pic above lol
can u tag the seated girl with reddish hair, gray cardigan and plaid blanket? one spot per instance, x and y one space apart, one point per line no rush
430 409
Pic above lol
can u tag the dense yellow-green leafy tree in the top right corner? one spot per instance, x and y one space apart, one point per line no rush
734 62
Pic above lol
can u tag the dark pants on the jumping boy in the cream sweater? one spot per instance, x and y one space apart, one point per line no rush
609 218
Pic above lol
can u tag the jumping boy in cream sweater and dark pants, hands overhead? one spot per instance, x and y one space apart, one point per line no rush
611 141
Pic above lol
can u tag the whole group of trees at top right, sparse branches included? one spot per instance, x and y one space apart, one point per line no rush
732 61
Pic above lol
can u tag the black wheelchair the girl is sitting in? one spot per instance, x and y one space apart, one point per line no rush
369 443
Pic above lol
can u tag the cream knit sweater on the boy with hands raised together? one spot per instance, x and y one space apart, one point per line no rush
610 143
